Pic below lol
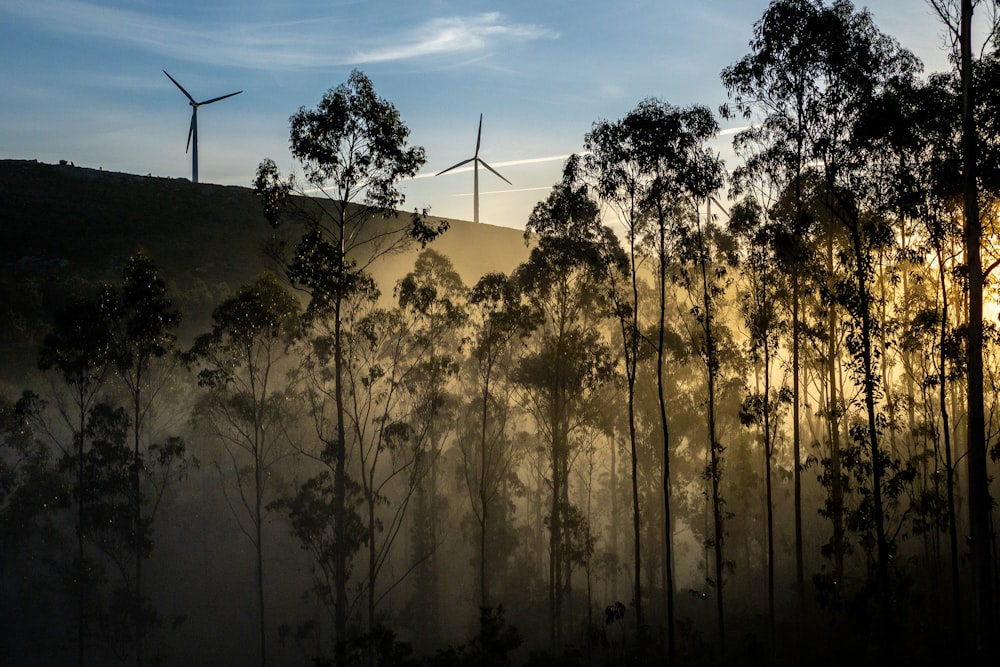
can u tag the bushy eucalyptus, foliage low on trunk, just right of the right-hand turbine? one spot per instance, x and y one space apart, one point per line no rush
567 360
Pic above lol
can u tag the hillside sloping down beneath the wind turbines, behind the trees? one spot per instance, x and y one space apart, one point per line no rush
63 225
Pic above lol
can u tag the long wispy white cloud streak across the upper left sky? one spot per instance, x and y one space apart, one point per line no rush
296 44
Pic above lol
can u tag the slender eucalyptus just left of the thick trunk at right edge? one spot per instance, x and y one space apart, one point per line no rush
926 137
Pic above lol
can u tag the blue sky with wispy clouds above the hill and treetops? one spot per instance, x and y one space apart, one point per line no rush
82 80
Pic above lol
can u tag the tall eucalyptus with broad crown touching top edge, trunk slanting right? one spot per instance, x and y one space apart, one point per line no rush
839 63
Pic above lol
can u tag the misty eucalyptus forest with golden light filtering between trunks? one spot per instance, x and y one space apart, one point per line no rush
722 414
